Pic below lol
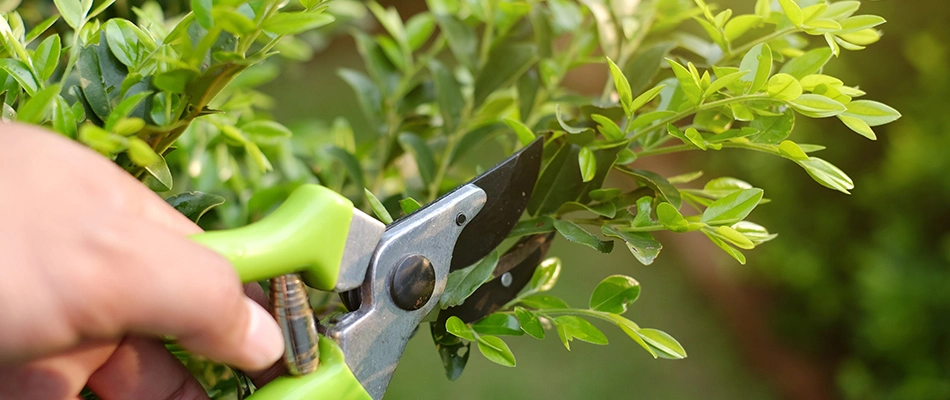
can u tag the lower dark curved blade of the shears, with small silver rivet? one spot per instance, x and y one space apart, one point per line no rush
520 261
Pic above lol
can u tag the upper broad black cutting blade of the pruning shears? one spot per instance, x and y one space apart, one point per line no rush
508 186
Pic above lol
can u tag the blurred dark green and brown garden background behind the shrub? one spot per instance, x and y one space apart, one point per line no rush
852 300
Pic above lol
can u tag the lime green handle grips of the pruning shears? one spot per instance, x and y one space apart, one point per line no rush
307 235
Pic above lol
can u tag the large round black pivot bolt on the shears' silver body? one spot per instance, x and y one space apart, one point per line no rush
413 282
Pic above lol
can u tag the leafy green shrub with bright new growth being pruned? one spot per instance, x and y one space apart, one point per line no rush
170 98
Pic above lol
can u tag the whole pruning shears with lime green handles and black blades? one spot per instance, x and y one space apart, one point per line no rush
391 277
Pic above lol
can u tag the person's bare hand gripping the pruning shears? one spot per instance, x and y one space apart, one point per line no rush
95 268
